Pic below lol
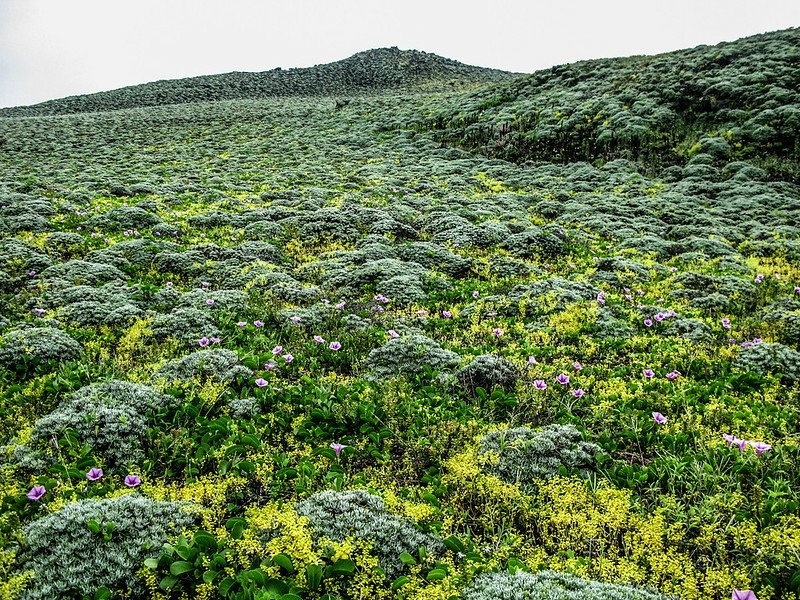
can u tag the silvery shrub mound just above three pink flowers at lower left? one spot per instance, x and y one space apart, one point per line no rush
111 417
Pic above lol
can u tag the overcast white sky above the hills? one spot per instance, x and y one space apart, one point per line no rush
55 48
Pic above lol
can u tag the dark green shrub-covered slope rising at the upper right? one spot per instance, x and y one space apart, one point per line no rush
736 99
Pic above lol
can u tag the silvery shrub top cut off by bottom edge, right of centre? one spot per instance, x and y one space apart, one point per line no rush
549 585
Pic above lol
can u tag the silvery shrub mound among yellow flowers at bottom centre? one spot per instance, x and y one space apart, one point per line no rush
363 516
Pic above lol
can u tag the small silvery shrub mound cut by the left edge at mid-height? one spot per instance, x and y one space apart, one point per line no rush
42 343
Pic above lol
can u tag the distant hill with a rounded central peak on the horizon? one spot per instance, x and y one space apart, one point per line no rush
369 71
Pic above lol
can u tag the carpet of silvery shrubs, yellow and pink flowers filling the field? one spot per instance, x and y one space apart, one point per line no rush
306 347
